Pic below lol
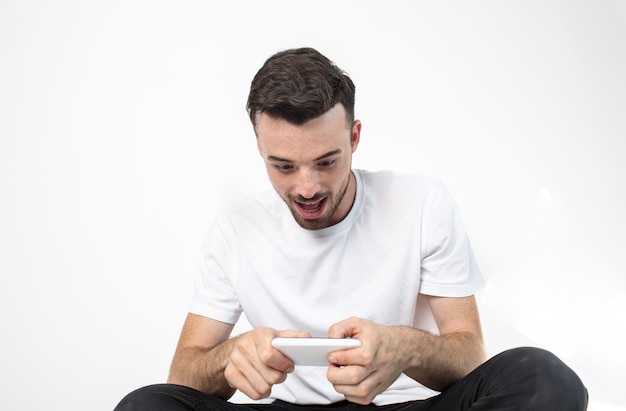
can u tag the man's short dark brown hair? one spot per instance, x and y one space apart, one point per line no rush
298 85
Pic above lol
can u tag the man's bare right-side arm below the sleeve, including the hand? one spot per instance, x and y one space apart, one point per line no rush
436 361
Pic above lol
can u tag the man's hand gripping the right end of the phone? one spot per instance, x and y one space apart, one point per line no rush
362 373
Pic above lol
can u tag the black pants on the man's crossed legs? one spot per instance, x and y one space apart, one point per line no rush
517 379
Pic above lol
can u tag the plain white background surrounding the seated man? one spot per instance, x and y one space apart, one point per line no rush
123 131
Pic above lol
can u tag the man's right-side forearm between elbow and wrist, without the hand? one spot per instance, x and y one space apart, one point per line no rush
439 361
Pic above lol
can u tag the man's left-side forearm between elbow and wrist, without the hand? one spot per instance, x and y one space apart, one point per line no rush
202 369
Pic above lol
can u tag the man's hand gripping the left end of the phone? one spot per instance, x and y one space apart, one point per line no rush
255 366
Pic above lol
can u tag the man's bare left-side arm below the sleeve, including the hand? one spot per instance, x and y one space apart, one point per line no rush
207 360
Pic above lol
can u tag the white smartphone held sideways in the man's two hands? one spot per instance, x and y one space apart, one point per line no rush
312 351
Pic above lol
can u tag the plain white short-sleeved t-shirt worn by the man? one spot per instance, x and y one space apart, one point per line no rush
403 236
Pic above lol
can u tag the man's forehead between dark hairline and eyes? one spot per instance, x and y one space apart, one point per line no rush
279 138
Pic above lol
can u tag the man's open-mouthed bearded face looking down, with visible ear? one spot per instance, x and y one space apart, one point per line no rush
309 165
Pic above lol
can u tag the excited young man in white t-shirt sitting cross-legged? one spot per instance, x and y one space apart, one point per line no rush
332 251
